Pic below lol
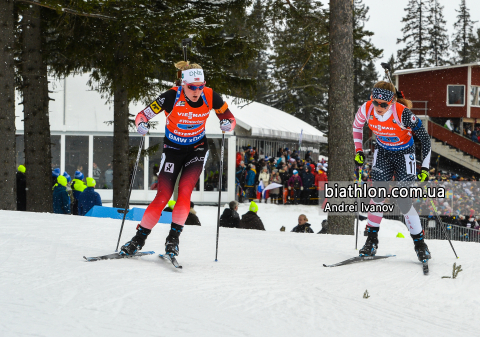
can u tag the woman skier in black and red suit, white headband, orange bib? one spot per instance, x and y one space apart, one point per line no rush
185 150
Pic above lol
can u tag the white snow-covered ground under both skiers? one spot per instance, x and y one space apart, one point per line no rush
265 283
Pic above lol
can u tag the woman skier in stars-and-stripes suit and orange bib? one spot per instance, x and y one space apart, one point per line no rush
389 117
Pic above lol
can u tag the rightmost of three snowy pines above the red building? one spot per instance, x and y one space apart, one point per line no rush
463 38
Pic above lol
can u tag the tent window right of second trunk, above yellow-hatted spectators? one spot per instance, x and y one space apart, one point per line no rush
76 155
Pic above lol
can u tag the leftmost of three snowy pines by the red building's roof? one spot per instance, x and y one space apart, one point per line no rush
415 36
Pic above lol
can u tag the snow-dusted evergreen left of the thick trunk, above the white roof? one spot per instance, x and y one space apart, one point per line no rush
300 45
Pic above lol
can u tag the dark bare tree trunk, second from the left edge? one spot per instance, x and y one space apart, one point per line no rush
34 90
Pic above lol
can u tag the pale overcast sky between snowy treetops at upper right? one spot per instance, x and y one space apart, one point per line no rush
386 16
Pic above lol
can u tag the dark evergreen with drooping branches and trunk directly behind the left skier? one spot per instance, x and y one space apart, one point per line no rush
140 47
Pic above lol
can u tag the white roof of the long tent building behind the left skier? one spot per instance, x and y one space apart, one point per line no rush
80 110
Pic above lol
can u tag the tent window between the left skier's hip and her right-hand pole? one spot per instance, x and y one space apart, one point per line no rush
212 166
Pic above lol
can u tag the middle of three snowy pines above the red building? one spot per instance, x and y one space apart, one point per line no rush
439 44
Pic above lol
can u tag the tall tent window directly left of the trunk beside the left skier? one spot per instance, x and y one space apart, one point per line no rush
103 161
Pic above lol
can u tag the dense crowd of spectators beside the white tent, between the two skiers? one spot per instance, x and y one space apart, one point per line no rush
298 180
